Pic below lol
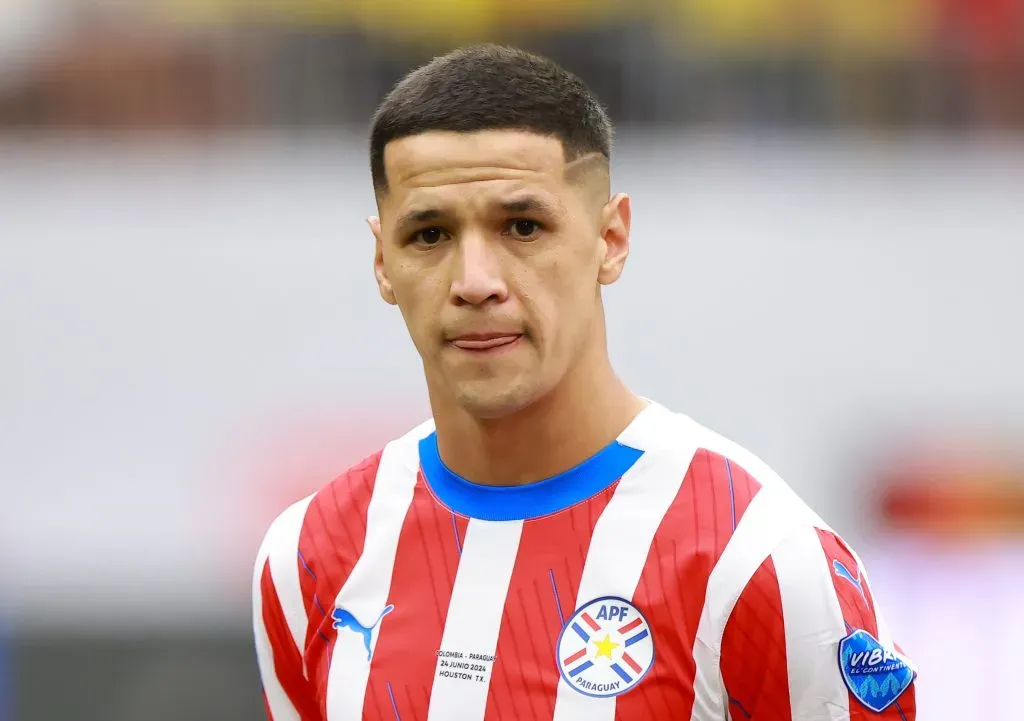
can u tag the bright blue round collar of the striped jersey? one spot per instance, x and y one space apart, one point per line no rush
531 501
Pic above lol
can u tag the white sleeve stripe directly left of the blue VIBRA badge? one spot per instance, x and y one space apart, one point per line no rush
815 627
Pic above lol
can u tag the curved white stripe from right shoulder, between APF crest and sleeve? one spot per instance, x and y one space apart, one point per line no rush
769 520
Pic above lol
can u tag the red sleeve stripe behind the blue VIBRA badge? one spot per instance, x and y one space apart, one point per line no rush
859 613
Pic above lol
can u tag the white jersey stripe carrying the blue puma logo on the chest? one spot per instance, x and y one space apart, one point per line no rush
366 591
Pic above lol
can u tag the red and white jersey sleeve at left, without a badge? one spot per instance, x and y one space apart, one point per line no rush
279 625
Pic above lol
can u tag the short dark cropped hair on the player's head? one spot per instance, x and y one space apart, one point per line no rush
491 88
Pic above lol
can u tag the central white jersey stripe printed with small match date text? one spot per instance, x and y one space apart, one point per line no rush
475 619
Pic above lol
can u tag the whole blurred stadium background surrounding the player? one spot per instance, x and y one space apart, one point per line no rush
828 267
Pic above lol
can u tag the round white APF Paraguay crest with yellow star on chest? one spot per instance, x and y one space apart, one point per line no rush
606 649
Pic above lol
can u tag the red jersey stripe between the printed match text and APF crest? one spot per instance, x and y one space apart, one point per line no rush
526 674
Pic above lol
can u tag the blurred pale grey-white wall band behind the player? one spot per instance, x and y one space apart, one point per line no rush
190 335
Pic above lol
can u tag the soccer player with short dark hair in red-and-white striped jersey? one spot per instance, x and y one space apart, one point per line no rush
549 546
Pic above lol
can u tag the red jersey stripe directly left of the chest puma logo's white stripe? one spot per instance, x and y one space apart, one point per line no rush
331 541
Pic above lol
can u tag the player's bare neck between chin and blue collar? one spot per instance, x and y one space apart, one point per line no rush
578 418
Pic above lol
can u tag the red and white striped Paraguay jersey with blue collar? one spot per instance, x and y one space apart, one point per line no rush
673 575
